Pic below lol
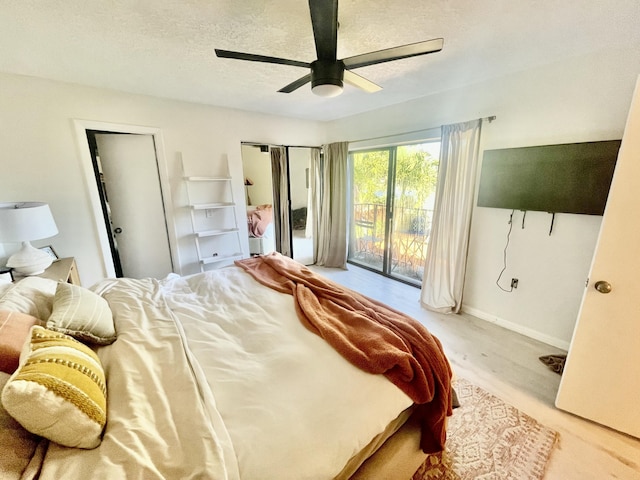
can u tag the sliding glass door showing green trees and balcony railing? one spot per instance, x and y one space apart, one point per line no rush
393 192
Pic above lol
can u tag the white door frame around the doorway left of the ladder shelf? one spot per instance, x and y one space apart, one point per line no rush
86 164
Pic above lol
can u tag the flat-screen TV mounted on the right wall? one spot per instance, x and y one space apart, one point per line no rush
566 178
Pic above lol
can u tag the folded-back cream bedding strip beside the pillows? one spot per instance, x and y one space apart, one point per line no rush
158 424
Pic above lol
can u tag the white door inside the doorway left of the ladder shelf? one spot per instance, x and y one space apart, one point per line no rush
134 197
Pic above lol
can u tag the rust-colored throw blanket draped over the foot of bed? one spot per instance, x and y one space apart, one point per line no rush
370 335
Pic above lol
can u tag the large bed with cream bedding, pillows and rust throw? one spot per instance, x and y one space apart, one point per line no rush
226 374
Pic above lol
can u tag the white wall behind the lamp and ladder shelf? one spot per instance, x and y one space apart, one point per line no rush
41 160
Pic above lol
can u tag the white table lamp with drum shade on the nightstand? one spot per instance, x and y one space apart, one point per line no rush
23 222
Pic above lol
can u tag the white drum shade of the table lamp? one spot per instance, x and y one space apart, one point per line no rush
26 221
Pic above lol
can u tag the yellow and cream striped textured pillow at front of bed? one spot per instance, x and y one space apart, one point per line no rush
59 390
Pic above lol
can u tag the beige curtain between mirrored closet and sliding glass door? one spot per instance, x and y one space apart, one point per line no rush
330 239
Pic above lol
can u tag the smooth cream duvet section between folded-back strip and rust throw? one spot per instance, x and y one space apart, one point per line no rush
294 409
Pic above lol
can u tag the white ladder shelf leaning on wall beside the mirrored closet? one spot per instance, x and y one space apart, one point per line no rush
213 218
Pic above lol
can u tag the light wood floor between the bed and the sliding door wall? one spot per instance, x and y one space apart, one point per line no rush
506 364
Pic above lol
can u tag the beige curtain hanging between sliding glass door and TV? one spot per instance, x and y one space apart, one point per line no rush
446 261
